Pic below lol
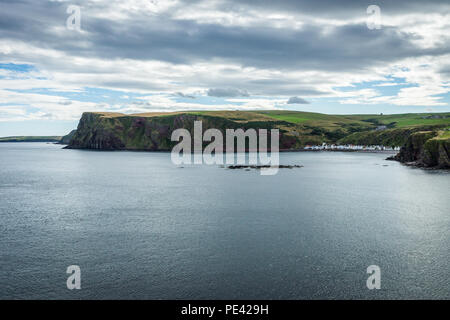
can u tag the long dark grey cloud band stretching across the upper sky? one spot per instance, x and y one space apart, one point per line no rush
345 48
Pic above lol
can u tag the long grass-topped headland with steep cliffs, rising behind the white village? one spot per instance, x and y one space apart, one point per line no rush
152 131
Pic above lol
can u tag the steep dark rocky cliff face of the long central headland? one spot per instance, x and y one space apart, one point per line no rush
103 131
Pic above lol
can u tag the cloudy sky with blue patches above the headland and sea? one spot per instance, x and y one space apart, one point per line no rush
162 55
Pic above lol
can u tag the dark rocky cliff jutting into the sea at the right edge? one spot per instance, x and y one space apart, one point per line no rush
426 149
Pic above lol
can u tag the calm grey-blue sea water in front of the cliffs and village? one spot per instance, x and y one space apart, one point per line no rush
140 227
